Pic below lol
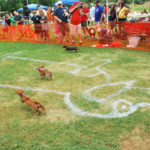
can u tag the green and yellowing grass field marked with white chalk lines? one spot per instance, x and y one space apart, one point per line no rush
62 128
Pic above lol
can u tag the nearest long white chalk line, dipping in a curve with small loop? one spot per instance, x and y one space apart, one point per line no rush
114 114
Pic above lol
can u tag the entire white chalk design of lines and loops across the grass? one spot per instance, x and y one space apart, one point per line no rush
114 114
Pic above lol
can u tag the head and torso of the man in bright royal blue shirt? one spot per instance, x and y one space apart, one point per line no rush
99 12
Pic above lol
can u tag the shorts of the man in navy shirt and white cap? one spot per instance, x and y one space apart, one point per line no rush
63 28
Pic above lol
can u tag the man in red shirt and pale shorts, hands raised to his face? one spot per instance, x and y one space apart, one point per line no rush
75 26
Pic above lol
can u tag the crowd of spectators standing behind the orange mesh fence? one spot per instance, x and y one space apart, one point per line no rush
70 21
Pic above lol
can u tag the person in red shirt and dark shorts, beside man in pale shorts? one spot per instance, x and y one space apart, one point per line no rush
84 18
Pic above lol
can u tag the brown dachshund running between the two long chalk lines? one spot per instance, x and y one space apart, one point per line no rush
44 73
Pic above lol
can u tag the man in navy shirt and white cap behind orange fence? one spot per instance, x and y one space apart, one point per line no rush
62 19
